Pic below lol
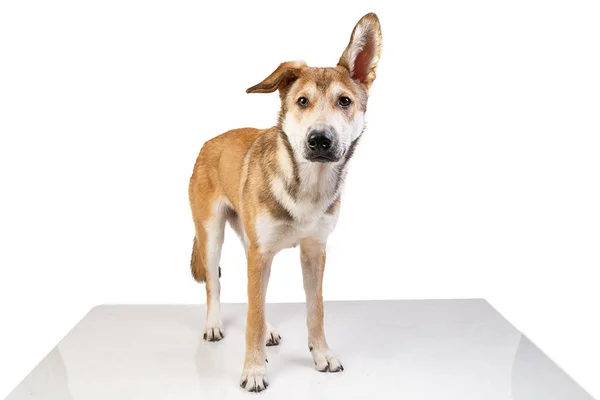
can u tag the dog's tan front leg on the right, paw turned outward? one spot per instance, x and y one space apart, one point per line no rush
312 257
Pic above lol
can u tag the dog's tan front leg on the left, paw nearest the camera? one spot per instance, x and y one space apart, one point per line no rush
254 377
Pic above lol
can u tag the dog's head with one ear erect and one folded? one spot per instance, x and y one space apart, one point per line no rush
322 109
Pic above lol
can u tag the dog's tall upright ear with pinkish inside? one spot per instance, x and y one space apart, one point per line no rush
362 54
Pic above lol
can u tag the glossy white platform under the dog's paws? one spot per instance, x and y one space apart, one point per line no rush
409 350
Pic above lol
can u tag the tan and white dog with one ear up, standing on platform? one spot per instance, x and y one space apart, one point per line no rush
280 187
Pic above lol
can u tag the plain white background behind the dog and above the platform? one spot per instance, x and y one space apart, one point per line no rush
478 175
